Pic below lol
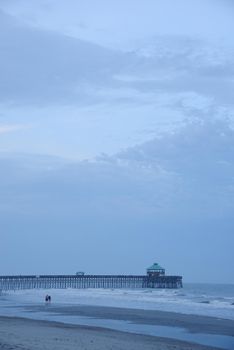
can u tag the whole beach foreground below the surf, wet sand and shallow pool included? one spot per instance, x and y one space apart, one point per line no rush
153 329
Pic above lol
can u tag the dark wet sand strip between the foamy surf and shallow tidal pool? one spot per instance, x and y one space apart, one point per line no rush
193 323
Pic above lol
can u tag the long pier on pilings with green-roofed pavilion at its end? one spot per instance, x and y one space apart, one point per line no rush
155 278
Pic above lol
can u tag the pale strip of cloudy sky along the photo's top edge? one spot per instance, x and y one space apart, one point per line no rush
122 24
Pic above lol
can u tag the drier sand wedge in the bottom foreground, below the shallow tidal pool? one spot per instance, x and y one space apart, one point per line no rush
25 334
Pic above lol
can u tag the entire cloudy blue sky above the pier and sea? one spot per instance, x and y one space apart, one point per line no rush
117 137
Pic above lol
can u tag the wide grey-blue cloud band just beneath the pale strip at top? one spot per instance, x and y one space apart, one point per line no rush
52 68
